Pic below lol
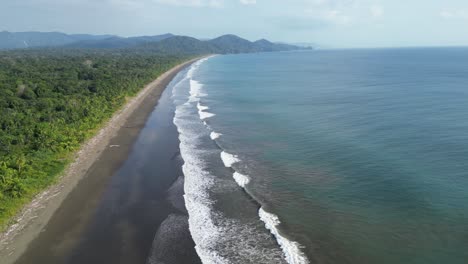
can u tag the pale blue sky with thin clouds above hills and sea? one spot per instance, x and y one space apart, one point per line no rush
328 23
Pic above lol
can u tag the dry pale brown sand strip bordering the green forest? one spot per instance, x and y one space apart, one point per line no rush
128 121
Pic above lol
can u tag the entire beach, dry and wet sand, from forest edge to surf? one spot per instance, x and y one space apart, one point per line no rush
120 202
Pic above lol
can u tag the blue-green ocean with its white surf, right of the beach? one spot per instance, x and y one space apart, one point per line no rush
327 156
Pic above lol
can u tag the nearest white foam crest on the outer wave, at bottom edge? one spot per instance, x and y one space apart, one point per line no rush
291 249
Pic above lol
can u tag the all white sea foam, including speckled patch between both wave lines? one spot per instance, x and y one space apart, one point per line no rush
213 237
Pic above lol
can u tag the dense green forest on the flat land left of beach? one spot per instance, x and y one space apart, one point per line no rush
53 100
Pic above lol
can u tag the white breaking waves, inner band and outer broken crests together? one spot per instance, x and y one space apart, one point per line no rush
206 234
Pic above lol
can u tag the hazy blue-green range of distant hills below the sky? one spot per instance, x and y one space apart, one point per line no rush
159 43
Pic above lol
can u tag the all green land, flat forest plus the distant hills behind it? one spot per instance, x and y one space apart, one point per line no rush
51 100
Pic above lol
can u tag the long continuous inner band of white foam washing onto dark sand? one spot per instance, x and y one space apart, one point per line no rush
197 181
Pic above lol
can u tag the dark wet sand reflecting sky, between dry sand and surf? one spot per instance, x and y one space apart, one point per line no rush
130 201
